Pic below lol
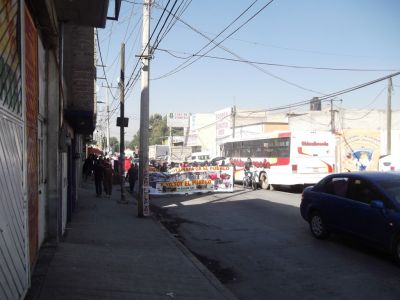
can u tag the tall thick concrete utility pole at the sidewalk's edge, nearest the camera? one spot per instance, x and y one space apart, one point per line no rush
143 201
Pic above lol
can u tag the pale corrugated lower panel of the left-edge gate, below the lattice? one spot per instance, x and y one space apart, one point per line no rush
13 260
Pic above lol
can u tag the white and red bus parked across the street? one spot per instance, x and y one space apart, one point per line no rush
285 157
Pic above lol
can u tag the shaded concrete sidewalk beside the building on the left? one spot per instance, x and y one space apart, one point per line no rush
109 253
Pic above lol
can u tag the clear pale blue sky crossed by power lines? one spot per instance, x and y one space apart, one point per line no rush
340 34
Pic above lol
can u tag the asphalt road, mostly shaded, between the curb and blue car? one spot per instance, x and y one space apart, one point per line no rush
258 245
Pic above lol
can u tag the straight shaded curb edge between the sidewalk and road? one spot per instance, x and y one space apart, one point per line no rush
207 273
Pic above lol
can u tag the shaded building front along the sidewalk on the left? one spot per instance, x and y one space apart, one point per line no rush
47 109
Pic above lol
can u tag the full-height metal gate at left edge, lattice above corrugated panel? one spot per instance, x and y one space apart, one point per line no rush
13 211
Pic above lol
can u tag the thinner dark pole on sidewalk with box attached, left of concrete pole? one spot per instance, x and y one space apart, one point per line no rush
122 127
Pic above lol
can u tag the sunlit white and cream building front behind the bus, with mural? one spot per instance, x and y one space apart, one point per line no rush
361 135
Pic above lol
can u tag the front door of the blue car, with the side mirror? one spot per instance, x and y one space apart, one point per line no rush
374 224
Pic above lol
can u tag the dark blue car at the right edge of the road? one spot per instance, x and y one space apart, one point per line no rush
364 204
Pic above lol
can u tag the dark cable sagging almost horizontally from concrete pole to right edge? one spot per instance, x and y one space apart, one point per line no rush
275 64
